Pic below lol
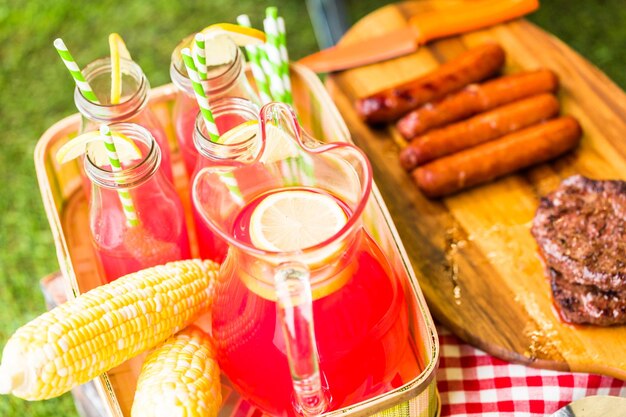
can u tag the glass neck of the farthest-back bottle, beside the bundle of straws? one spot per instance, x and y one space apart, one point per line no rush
221 78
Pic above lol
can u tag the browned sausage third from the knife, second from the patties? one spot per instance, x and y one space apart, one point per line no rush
478 129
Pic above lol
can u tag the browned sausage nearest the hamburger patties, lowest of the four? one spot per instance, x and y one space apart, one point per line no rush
493 159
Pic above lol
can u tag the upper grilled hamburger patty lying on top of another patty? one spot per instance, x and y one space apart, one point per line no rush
581 231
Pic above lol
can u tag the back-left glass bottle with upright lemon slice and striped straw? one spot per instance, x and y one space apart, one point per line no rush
133 106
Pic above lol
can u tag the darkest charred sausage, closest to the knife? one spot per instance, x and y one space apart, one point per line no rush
471 66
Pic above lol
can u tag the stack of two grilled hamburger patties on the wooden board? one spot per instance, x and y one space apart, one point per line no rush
581 232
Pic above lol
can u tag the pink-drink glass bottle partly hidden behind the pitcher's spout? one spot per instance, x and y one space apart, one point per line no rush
222 156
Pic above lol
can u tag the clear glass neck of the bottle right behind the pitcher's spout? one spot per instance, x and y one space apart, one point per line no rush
228 113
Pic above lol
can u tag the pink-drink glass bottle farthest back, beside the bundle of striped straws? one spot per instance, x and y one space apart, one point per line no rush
225 78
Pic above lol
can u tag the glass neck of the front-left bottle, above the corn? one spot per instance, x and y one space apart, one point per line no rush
133 173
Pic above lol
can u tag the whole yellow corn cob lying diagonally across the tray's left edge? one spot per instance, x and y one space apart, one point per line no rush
79 340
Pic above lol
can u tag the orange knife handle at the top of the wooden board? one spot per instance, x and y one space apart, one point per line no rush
468 16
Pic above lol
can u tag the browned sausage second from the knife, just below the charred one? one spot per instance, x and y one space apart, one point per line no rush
477 98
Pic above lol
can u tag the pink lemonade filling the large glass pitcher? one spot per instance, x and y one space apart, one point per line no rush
359 310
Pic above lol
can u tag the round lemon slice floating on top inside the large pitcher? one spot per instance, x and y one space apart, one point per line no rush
293 220
